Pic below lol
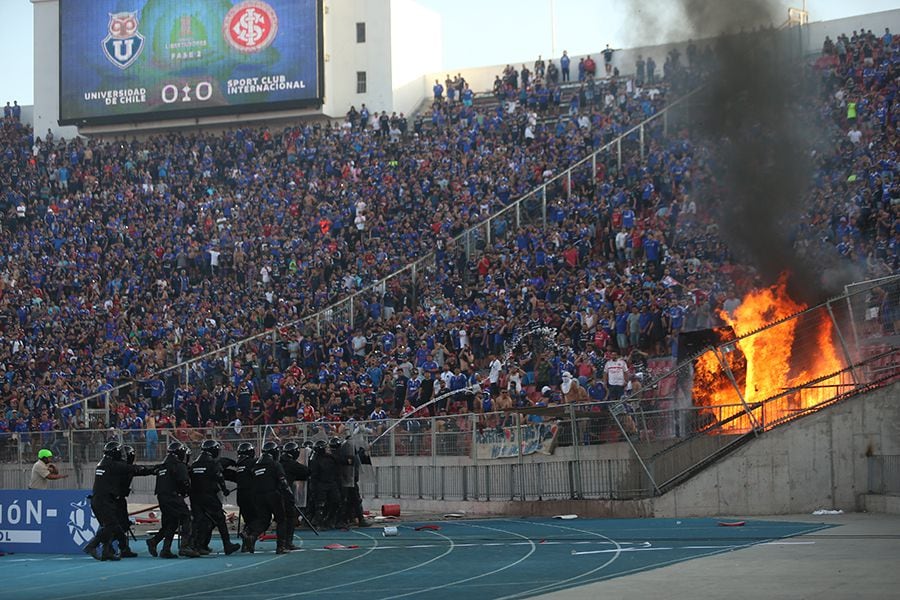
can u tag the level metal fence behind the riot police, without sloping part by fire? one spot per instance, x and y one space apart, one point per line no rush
438 458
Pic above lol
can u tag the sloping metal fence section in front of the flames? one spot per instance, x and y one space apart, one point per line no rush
828 353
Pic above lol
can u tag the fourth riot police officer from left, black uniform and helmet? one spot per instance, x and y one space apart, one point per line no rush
207 480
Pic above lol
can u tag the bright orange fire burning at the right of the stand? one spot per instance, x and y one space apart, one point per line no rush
773 361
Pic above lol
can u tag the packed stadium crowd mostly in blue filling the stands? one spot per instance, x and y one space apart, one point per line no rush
124 257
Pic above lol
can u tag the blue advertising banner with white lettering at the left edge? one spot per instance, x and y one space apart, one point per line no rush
45 521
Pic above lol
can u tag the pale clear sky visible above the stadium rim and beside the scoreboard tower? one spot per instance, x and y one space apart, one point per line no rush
475 32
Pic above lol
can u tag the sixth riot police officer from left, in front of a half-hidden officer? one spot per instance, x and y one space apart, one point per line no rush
270 488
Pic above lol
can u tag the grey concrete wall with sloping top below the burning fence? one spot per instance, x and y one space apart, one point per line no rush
816 462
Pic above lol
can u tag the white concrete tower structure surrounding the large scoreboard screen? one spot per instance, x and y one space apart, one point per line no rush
402 43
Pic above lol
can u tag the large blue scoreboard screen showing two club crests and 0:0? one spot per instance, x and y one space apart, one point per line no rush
124 61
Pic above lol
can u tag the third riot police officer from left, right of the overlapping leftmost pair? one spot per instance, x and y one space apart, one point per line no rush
173 483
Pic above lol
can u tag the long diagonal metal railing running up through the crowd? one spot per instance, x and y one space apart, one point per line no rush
530 209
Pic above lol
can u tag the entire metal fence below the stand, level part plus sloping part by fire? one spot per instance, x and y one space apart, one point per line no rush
670 427
